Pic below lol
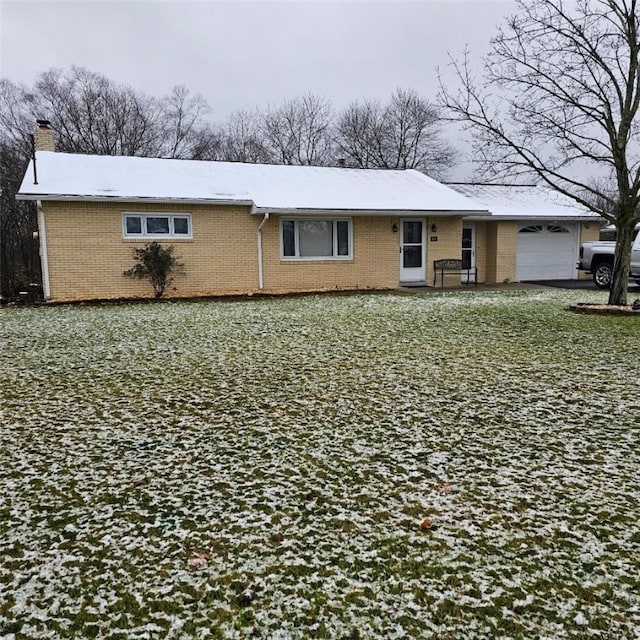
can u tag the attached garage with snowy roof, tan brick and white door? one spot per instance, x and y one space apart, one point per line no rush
538 231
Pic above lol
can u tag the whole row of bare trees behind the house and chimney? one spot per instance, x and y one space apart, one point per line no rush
90 113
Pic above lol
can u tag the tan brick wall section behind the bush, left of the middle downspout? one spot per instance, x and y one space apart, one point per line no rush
88 254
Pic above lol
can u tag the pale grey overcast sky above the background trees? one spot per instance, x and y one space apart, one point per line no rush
242 54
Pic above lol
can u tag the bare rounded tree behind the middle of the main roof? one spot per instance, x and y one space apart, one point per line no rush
300 131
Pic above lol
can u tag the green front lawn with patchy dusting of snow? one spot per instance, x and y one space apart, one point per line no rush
463 465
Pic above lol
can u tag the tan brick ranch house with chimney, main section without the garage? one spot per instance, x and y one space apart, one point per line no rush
249 228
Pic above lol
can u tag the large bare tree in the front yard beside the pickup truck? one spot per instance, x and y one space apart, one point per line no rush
560 99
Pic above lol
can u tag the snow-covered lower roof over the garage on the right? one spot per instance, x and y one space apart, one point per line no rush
517 202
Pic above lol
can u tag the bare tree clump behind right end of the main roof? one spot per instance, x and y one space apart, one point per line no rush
405 133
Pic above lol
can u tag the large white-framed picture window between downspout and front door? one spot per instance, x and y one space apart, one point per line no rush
316 239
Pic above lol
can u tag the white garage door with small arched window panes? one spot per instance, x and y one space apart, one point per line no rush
547 251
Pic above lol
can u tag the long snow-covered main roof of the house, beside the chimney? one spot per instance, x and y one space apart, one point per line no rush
65 176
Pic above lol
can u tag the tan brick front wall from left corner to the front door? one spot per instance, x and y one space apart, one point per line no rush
88 254
